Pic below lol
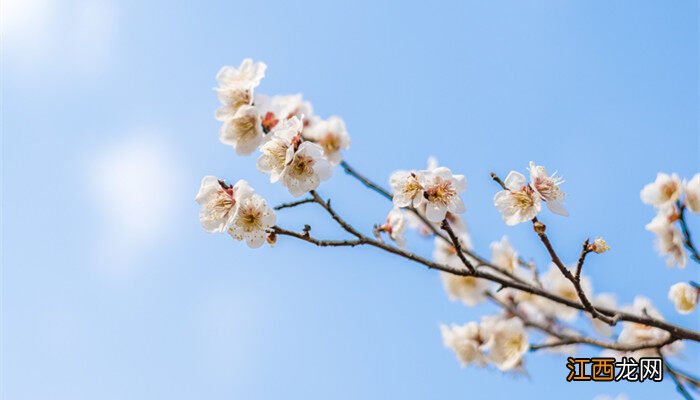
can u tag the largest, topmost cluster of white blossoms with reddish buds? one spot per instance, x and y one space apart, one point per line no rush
298 149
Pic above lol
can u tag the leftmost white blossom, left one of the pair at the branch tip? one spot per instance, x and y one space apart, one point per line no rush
219 203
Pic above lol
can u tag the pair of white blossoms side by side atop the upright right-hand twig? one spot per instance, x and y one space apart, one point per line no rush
521 201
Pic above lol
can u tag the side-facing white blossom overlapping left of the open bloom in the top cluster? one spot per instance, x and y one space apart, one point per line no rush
273 159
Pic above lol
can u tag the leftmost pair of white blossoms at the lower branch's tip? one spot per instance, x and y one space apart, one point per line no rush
236 209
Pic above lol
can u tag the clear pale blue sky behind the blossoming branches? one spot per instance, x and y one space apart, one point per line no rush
111 289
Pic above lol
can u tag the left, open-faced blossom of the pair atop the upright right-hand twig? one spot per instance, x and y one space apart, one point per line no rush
518 202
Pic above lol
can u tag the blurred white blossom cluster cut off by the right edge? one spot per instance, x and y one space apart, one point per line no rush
666 194
